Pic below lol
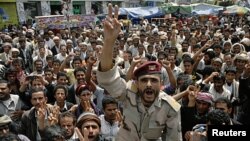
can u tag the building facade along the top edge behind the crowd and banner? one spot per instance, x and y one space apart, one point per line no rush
28 9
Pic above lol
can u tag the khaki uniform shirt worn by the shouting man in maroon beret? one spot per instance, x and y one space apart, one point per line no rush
159 122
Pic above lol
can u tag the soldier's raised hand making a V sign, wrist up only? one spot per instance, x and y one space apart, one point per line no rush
112 27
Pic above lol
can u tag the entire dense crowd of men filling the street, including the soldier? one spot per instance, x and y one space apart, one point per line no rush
155 81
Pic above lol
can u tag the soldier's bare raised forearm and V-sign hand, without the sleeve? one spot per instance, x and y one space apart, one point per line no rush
112 29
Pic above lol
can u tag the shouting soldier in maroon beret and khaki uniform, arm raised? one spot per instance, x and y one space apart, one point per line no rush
148 113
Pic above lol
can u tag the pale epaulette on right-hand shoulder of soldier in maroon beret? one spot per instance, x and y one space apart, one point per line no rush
171 101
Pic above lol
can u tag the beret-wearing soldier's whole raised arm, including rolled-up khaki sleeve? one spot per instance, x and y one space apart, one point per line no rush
108 75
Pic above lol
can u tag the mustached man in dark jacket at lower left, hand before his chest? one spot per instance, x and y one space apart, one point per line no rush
35 120
